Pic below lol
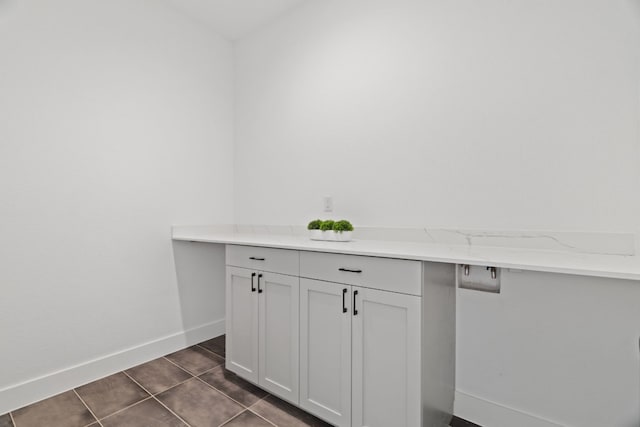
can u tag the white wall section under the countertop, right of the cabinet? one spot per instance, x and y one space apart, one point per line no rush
549 350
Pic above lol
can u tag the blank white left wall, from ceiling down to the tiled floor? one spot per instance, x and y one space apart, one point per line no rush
116 121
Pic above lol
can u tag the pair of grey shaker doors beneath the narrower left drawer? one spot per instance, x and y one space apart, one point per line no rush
262 341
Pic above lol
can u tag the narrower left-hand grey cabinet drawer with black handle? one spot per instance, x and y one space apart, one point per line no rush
281 261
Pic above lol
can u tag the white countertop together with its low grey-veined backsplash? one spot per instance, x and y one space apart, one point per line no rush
568 253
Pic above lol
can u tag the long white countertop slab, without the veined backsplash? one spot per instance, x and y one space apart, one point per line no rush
536 259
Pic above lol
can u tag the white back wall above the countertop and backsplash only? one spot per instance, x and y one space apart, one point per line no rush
477 114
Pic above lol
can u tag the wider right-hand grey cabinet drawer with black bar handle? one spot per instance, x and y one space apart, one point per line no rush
395 275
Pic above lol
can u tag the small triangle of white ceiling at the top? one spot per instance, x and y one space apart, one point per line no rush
233 18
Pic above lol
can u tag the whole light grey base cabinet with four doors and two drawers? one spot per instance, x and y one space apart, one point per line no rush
355 340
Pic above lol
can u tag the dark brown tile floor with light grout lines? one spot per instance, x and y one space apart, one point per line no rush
188 388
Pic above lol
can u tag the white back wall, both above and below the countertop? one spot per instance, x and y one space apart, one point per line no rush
472 114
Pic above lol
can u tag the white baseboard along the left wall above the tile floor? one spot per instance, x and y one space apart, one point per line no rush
35 389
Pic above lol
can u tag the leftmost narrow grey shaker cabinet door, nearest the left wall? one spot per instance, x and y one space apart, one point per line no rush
242 323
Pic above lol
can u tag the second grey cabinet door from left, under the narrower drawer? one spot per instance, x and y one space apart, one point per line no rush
279 334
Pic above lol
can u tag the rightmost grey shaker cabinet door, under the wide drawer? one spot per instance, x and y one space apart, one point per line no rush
386 359
